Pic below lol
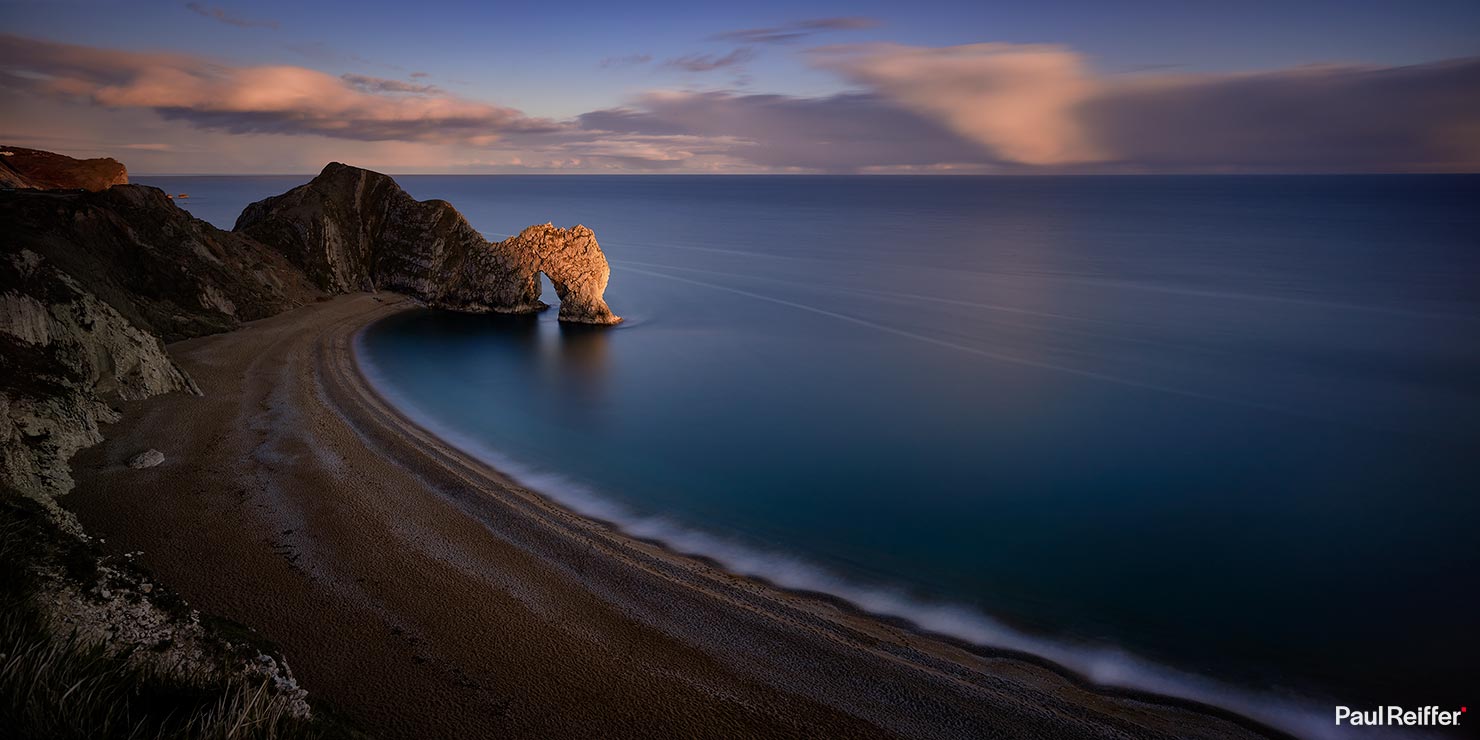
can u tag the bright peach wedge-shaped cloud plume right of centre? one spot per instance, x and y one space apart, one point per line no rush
1019 101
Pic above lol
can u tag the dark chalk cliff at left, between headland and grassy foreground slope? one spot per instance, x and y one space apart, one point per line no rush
90 285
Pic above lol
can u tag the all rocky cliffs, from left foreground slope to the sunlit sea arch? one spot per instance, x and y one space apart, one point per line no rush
98 276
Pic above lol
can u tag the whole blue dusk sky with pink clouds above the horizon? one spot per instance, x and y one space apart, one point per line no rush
804 87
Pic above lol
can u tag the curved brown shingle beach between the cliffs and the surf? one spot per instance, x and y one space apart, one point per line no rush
425 596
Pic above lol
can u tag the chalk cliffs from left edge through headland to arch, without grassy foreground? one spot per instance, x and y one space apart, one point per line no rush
91 283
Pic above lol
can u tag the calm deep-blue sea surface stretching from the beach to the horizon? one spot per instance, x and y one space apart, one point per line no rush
1170 431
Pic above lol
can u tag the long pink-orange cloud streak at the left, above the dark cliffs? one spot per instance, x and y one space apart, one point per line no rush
257 100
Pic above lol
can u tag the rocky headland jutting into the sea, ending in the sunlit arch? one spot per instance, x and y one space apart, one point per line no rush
357 230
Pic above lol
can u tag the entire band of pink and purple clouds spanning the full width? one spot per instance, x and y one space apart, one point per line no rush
979 109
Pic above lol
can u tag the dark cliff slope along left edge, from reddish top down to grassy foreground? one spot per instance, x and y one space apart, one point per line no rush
90 285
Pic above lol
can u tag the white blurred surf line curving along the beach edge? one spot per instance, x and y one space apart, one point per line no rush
1105 667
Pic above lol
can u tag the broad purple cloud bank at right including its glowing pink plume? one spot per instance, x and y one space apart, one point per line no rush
1012 109
